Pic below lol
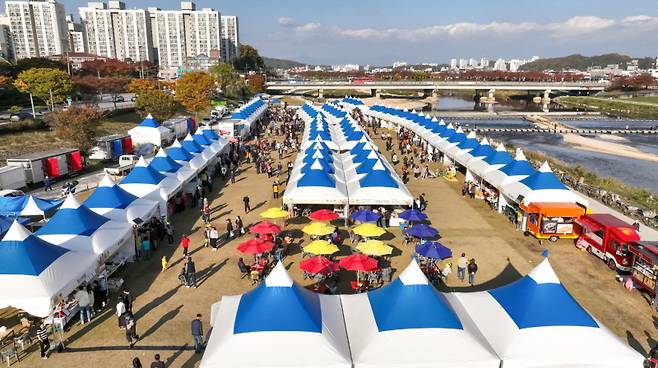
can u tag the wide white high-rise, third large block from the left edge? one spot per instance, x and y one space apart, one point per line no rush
187 33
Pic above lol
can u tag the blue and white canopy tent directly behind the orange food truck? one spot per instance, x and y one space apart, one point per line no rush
542 186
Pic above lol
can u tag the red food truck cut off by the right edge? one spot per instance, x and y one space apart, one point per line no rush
644 270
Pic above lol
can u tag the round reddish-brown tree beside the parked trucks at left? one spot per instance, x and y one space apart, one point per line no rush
77 125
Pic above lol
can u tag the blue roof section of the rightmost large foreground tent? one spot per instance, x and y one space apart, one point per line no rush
541 304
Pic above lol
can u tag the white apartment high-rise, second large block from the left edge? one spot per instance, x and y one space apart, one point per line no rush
116 32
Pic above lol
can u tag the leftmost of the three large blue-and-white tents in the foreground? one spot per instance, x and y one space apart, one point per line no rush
278 324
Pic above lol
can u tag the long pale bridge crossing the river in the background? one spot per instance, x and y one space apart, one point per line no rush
431 88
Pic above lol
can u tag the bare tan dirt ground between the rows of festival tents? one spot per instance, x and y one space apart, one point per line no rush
164 309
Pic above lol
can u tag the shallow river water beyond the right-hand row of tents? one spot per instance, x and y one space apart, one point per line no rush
634 172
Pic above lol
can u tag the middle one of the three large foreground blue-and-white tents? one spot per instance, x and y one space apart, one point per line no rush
408 323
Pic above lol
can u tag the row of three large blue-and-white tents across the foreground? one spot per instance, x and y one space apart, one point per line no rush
532 322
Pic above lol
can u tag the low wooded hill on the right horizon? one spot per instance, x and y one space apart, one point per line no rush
581 62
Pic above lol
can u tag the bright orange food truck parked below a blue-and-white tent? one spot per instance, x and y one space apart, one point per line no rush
551 220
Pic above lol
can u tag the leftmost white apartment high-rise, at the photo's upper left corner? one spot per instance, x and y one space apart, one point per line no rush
38 28
